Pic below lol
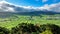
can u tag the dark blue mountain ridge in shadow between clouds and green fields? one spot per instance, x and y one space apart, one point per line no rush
37 13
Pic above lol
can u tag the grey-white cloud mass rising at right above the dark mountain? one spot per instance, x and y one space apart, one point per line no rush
51 7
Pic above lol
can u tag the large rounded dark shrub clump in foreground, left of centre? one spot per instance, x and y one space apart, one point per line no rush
24 27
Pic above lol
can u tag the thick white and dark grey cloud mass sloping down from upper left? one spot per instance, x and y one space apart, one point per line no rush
9 7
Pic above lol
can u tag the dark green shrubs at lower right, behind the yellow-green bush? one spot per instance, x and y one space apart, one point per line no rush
55 29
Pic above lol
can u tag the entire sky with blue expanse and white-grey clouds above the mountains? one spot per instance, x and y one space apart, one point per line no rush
14 5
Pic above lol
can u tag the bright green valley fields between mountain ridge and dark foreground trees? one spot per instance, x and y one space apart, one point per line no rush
13 21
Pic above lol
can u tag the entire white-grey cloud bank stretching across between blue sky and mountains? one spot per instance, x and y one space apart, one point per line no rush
9 7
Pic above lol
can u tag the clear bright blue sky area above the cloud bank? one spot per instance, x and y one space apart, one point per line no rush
34 3
